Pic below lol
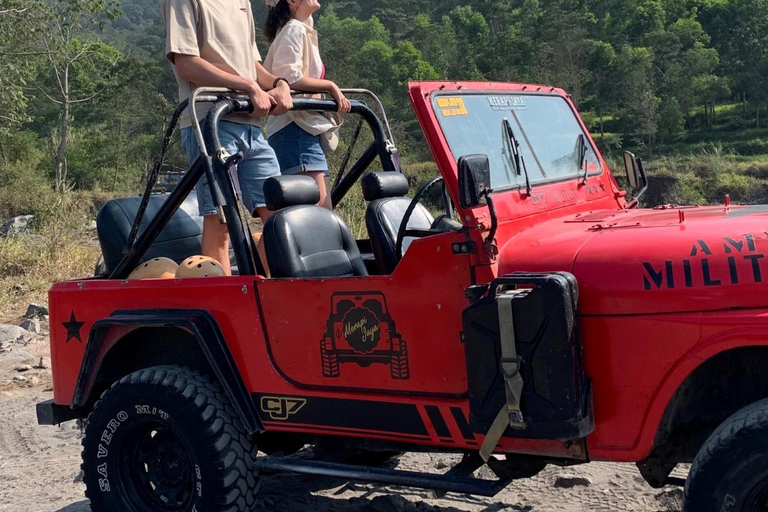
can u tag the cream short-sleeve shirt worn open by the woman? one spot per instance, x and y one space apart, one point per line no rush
293 55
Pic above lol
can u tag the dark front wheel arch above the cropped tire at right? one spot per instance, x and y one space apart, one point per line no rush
727 379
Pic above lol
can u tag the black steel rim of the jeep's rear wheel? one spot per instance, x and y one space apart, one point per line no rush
156 468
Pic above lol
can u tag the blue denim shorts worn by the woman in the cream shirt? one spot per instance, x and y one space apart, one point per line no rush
298 151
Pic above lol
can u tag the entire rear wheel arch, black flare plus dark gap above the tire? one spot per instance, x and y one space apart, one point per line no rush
130 341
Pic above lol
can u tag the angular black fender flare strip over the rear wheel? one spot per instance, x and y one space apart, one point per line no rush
201 324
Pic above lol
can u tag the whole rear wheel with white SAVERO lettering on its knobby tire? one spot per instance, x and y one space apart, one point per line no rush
167 439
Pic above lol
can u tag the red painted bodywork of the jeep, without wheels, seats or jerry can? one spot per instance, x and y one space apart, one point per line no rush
663 292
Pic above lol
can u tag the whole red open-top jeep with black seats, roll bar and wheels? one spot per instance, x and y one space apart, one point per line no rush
554 323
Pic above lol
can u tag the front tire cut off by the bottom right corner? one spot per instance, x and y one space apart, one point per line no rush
730 472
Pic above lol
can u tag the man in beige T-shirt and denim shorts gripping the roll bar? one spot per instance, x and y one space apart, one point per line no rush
211 43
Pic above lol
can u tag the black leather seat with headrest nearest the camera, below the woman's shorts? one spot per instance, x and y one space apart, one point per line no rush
303 240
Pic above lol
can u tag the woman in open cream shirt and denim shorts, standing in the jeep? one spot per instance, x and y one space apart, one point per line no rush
295 56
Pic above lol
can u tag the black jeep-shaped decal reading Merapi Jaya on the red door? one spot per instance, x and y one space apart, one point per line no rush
361 331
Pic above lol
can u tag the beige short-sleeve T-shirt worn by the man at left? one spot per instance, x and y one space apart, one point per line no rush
220 32
